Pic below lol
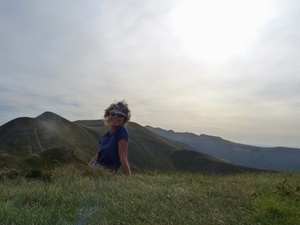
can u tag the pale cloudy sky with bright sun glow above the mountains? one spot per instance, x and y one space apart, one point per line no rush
223 68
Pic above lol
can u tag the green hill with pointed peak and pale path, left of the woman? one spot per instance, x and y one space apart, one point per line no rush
34 135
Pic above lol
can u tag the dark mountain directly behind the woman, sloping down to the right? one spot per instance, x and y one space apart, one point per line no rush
149 150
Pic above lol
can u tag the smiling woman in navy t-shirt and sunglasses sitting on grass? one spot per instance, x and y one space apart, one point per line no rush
113 144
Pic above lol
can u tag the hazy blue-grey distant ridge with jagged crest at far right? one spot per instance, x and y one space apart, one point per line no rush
278 158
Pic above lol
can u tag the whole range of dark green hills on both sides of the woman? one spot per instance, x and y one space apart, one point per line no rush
52 139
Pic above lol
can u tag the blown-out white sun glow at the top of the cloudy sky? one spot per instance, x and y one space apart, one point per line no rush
218 30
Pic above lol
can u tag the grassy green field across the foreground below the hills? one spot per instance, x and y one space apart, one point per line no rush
69 195
